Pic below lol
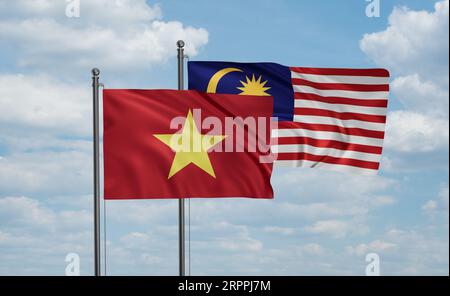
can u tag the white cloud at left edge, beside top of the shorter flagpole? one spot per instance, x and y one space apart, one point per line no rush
40 102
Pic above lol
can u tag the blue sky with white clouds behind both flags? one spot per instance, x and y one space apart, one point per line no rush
320 223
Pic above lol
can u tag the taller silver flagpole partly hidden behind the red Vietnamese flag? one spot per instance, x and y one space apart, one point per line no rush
180 49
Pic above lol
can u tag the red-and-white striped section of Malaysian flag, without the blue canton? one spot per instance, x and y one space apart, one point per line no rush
339 119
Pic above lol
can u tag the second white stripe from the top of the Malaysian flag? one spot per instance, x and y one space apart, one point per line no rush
342 93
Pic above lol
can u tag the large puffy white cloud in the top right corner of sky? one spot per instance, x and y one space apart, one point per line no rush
414 42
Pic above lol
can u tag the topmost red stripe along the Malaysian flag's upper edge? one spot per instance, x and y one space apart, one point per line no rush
342 72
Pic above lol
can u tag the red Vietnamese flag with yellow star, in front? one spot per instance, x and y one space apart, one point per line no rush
172 144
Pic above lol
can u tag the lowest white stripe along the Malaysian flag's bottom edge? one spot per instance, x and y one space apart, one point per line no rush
323 165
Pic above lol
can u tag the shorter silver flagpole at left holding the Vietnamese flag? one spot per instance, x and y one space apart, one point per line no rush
96 129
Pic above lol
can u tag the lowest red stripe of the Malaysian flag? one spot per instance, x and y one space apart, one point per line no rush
329 159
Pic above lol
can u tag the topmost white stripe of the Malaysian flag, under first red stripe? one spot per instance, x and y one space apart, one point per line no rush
369 80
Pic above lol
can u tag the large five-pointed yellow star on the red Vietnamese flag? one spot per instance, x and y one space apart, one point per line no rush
190 146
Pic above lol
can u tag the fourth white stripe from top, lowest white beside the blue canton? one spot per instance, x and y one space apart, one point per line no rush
350 123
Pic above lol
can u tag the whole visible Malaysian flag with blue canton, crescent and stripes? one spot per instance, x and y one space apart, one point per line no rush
327 118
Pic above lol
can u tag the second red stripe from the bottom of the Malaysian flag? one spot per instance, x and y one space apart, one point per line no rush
328 144
